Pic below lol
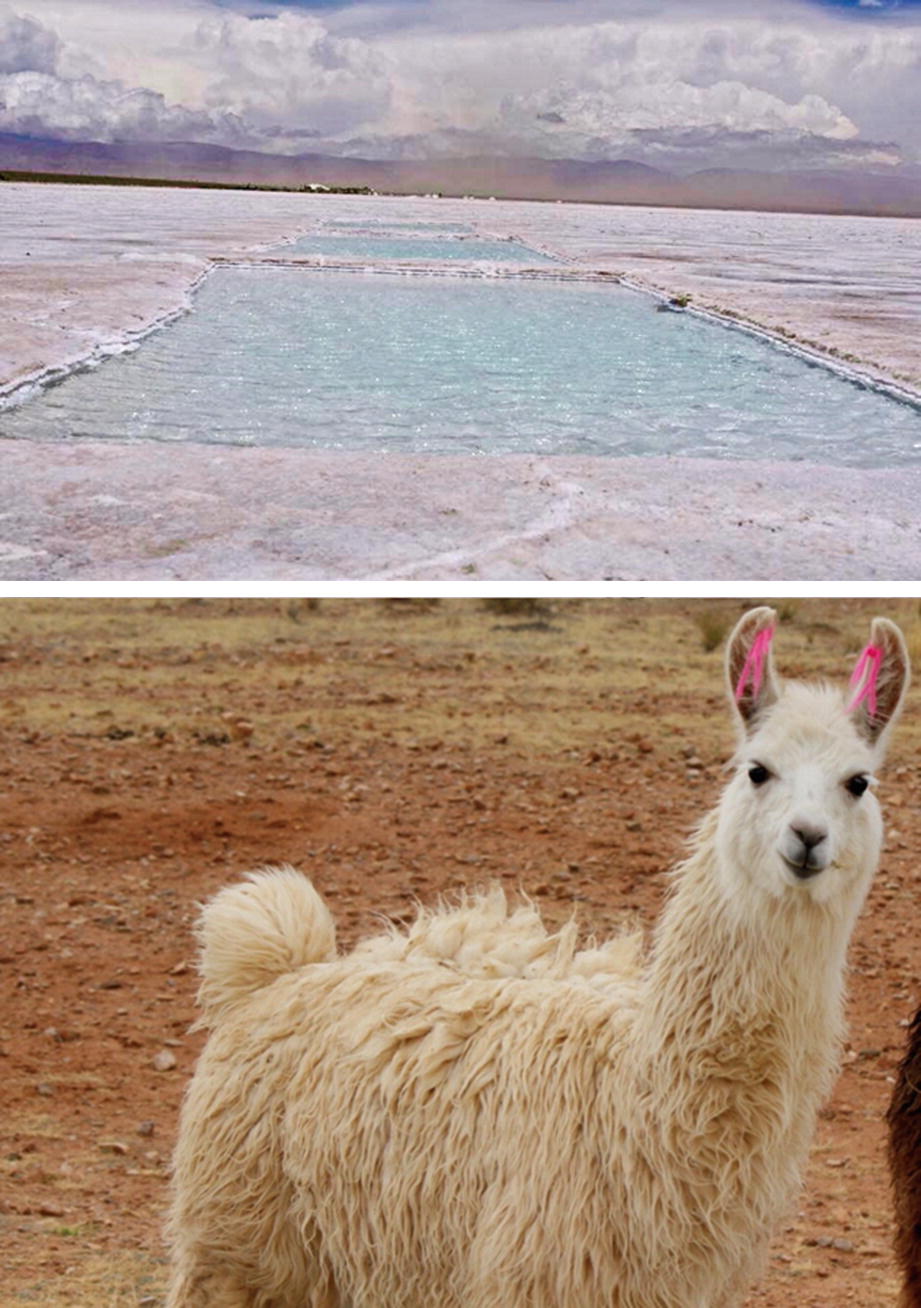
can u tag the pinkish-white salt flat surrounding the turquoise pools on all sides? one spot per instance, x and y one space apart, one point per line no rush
86 270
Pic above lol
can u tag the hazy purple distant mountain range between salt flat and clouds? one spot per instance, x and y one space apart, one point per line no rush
893 193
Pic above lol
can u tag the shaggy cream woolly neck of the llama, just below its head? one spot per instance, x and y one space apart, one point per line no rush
745 996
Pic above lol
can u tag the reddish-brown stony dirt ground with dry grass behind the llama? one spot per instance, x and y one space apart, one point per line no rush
154 750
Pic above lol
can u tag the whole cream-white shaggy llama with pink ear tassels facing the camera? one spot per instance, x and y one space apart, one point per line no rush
478 1114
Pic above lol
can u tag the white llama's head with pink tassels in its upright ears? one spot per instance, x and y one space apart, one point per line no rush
800 819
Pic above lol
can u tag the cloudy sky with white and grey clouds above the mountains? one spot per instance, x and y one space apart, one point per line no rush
677 84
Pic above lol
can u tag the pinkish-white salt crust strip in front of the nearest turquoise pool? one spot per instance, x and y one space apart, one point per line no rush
190 512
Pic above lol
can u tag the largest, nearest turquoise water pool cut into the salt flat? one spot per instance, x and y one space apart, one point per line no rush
436 364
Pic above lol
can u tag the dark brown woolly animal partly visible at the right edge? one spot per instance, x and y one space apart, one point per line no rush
905 1149
